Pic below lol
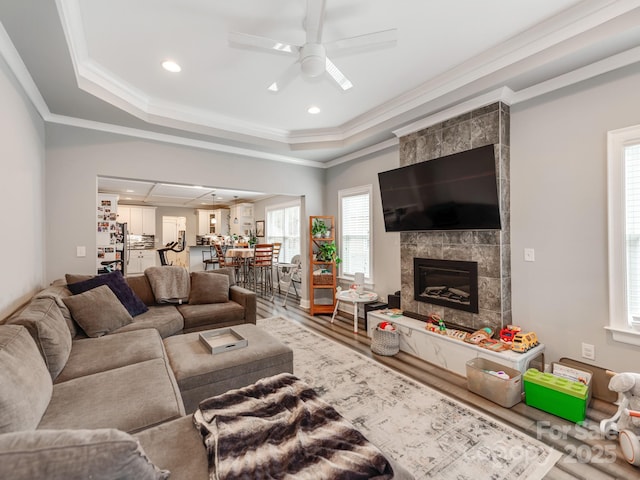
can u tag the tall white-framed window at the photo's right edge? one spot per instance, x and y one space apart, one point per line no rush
624 234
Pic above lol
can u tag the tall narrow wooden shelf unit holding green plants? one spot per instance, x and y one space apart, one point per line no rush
322 287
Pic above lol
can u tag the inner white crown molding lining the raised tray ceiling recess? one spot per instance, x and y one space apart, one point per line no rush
102 83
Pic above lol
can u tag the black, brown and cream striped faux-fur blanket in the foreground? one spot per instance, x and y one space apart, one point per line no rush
278 428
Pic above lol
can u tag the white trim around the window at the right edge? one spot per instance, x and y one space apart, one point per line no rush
619 326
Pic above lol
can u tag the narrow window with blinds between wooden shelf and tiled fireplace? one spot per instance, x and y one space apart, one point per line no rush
355 231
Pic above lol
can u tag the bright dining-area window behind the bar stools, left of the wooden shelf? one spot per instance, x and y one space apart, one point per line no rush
283 225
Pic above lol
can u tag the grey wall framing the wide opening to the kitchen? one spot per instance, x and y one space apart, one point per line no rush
76 157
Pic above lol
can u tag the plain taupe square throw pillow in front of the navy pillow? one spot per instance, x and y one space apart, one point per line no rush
98 311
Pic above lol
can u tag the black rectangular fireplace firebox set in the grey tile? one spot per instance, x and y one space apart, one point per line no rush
449 283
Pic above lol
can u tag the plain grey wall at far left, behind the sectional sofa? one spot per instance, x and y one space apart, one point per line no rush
22 156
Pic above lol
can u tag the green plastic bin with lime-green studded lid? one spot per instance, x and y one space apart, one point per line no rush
559 396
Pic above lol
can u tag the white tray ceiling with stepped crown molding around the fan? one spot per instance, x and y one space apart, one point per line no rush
98 64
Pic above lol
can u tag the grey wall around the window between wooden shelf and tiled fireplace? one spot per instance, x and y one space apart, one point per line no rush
386 245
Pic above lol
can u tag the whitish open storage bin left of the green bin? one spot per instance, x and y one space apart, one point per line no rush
504 392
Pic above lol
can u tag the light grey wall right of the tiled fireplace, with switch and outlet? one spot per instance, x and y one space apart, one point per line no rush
559 208
